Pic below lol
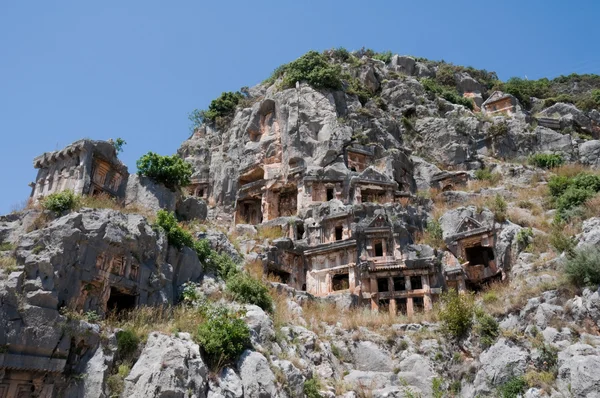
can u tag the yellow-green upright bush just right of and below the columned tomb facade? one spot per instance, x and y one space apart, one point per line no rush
456 313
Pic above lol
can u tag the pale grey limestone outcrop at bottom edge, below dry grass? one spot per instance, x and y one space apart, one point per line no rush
168 367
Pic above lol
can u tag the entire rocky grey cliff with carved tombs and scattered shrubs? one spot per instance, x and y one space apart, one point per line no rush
333 210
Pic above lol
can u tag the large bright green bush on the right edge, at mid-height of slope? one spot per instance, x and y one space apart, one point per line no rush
570 192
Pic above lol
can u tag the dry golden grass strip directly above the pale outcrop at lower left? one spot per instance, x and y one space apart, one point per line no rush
144 320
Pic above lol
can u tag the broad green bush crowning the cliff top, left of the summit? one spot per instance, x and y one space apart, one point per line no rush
314 69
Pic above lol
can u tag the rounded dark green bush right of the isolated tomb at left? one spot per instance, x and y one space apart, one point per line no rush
171 171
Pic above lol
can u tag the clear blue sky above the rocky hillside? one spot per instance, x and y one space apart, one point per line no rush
135 69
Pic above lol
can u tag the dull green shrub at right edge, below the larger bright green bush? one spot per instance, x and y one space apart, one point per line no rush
583 266
